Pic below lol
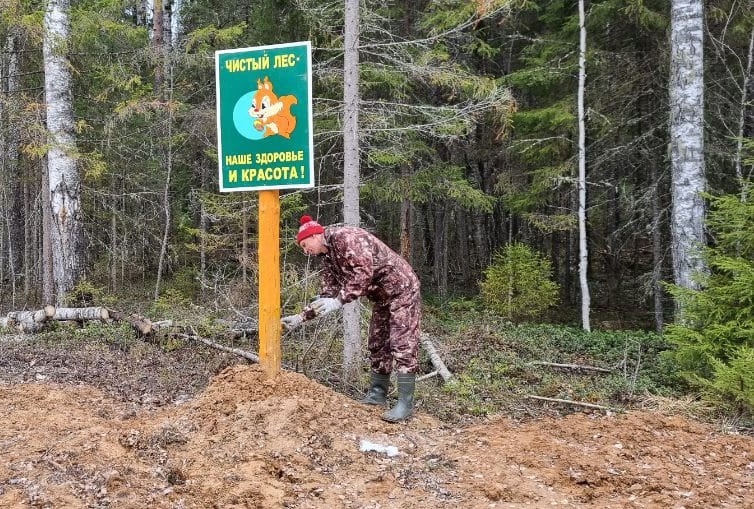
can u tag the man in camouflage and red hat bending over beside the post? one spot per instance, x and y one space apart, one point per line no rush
355 264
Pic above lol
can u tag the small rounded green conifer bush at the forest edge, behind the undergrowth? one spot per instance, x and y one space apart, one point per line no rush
517 284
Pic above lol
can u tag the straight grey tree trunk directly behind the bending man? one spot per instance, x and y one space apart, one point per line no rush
351 314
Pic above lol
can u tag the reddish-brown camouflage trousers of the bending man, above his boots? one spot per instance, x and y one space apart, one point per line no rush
394 334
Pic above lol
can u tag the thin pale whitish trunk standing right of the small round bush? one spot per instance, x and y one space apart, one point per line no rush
583 248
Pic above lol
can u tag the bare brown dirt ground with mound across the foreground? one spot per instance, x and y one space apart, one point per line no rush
93 436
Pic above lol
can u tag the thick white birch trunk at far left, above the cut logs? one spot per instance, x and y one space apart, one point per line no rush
66 227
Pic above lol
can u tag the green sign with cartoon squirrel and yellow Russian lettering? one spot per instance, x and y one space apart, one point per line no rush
264 117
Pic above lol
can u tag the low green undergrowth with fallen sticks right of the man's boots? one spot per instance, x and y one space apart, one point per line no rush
498 365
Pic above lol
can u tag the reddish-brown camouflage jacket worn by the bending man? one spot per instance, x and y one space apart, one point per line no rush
359 264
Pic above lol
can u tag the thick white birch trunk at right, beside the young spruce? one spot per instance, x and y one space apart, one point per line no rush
686 91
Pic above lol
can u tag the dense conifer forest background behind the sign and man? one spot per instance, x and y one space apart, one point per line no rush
468 145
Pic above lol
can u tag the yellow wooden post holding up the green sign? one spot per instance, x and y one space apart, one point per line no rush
269 281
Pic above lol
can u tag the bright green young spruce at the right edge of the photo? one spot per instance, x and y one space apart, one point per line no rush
715 335
